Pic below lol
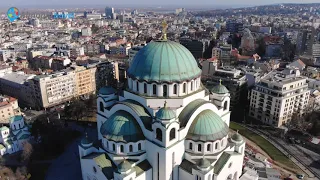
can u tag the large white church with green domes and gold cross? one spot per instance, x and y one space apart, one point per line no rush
165 125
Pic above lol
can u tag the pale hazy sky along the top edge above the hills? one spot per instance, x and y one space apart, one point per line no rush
182 3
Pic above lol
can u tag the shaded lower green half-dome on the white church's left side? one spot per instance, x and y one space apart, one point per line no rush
121 126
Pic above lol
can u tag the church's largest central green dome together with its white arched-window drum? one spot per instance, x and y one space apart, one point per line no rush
164 69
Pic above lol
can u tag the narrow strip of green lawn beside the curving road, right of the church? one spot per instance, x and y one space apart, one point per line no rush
272 151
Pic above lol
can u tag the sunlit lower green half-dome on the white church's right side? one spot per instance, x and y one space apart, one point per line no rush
207 126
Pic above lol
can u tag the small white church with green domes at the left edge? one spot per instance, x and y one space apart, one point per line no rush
13 138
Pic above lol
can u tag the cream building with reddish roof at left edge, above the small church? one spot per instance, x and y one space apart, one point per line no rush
8 108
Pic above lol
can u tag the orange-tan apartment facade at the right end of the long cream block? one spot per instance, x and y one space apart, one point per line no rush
85 80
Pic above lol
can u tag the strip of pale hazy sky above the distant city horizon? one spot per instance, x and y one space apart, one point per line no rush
143 3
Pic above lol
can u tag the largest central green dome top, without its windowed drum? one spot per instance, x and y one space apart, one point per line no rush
164 61
